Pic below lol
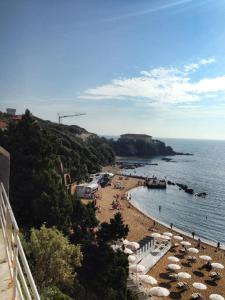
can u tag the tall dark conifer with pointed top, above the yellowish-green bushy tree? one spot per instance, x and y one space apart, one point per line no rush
36 190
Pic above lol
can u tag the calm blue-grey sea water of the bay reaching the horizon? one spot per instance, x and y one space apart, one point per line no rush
204 172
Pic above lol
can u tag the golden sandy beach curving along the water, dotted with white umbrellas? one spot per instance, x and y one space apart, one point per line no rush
139 225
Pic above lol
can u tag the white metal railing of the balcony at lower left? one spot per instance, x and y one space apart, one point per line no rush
24 287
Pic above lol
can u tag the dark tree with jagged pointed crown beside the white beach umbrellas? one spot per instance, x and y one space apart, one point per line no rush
110 267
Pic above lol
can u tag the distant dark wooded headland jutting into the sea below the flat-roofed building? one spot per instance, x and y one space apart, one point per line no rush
125 147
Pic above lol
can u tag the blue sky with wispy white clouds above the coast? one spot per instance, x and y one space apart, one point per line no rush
133 66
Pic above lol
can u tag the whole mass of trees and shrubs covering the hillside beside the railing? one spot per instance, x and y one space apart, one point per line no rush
68 250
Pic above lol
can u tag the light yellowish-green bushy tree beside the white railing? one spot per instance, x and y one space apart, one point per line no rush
53 259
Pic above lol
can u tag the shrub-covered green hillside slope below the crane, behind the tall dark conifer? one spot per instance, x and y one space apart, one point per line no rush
80 152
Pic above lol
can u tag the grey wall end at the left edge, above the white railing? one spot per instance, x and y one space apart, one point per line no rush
4 168
